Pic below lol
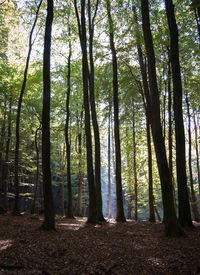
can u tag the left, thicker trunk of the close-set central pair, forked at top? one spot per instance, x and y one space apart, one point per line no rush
92 212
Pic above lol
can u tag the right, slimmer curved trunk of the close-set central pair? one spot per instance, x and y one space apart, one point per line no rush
94 115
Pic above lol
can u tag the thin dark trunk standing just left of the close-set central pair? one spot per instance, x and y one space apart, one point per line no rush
70 214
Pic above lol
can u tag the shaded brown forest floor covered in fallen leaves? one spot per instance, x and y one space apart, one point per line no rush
112 248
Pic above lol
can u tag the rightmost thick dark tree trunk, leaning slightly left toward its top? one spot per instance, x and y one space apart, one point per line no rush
183 197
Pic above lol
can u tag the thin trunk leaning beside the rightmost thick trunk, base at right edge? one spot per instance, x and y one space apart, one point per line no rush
193 197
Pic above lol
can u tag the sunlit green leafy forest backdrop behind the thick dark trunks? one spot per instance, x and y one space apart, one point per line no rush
98 31
